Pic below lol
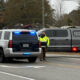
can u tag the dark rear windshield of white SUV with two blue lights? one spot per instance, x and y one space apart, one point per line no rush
24 37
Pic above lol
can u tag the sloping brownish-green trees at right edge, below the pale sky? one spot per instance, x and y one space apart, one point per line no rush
71 19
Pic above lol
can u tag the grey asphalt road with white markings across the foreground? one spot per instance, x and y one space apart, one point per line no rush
55 68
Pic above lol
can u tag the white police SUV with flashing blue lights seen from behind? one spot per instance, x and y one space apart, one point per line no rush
19 43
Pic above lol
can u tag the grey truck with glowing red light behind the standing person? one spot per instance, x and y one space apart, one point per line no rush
63 39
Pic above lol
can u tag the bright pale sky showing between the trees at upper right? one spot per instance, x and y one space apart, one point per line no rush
67 5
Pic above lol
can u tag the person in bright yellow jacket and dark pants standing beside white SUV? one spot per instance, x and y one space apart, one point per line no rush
44 44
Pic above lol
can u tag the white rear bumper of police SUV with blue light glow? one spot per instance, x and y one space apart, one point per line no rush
10 53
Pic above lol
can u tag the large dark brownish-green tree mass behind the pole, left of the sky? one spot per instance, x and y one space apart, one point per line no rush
27 12
